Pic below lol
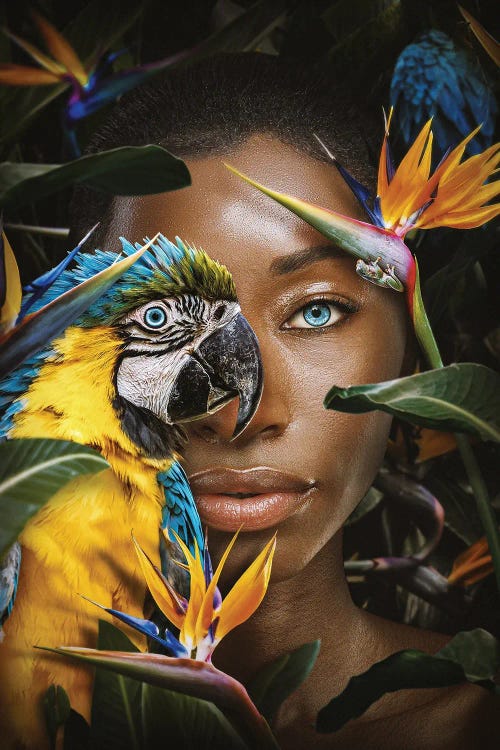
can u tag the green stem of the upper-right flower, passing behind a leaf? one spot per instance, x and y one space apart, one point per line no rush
425 336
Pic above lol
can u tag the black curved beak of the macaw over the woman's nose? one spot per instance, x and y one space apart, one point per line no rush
225 365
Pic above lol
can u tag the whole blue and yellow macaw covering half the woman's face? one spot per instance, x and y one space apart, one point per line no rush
164 345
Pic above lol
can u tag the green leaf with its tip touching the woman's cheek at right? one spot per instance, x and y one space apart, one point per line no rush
459 398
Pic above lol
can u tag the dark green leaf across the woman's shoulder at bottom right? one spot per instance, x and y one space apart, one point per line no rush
472 656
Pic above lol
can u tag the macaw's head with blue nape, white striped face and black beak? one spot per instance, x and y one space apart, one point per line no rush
182 347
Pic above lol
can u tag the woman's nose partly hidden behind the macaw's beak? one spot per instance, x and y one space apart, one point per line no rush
272 417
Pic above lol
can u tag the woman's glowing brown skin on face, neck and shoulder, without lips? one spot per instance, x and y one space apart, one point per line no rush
280 265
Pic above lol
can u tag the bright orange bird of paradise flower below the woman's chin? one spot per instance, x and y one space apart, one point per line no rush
202 621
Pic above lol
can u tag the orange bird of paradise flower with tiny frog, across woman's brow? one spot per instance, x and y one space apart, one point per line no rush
456 194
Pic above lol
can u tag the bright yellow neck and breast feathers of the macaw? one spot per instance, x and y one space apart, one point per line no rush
79 542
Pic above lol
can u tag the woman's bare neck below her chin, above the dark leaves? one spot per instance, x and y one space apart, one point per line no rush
314 604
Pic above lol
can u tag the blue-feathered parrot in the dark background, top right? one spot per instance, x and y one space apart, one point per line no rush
434 78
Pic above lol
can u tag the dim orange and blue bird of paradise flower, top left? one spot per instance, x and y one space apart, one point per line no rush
92 86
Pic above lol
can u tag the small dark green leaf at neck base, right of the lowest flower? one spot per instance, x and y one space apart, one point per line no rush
281 678
